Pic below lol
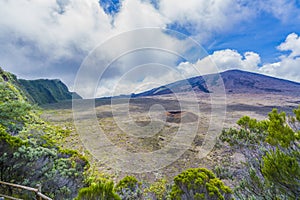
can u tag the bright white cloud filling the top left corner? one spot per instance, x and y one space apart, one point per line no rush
54 32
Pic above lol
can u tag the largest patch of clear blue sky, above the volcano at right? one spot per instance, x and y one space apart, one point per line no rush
261 35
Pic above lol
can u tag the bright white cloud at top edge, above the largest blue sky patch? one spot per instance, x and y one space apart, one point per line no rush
205 17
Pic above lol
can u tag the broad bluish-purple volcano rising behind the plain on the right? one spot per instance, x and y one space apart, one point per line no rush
235 81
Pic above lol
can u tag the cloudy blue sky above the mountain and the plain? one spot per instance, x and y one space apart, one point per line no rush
57 38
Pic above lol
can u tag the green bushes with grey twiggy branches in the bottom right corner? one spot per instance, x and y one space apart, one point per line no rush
271 146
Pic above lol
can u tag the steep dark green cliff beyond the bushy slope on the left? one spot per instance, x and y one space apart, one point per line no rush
44 91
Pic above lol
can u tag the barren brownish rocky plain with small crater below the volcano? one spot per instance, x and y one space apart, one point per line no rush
143 129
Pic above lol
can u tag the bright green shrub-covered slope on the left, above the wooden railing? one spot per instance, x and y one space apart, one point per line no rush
31 150
